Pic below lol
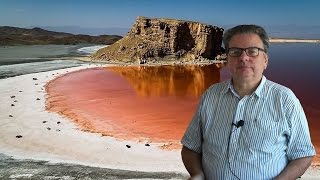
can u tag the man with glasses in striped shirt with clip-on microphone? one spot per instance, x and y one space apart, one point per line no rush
247 127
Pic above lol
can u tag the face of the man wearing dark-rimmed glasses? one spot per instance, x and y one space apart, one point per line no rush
244 67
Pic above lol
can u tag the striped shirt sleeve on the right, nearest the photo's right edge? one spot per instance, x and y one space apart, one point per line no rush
299 144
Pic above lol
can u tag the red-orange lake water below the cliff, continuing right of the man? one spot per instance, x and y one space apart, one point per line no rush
152 104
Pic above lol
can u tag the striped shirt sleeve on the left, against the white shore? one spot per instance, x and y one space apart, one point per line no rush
192 138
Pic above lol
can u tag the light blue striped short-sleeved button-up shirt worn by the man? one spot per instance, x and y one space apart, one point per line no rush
275 131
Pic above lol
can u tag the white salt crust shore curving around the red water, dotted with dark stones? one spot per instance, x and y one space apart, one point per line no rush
51 137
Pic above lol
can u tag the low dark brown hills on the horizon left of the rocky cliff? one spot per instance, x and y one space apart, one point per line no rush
23 36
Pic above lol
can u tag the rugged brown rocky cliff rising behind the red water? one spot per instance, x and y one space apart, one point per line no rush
164 39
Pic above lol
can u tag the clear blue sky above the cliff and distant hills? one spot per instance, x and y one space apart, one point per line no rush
121 14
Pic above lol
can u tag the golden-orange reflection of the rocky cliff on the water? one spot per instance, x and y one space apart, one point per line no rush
169 80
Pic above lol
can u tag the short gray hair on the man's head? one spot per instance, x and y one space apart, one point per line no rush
246 29
